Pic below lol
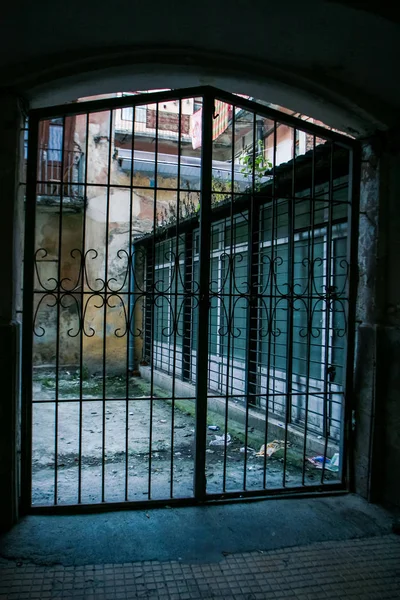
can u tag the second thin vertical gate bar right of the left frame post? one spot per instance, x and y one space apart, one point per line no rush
82 296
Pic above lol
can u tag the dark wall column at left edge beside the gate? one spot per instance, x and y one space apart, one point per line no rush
11 198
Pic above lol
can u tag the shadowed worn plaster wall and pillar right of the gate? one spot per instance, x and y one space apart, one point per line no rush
377 370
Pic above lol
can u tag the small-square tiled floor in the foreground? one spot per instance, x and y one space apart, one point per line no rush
367 568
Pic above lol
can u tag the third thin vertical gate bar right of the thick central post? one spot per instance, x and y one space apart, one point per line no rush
270 323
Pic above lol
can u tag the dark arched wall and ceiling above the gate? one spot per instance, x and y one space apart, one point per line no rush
323 58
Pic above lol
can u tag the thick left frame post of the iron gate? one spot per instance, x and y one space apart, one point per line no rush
28 312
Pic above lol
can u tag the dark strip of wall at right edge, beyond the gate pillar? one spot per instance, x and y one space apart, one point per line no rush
387 446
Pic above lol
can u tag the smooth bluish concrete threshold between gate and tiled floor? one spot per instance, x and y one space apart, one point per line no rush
191 534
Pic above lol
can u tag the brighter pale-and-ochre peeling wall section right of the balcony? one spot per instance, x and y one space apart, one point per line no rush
117 248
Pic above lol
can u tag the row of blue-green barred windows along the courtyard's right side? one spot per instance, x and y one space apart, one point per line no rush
288 296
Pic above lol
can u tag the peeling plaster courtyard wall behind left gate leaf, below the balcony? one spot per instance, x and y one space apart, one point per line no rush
97 239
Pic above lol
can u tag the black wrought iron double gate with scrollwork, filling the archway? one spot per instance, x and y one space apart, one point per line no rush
188 302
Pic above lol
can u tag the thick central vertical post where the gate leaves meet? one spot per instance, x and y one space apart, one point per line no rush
203 313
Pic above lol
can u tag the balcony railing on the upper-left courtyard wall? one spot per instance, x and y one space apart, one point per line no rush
56 175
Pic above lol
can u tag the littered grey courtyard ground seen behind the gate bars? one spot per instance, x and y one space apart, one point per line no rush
169 426
